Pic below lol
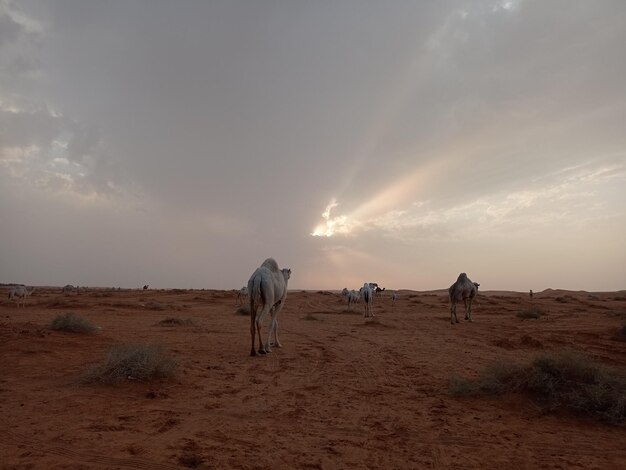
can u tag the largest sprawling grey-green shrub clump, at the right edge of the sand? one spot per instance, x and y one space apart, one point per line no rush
566 379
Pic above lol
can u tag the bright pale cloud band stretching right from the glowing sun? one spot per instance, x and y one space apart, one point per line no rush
572 197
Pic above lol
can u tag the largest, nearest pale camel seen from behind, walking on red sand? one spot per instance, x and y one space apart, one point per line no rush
267 288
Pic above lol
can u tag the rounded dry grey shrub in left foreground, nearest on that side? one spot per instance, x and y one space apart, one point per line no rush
131 362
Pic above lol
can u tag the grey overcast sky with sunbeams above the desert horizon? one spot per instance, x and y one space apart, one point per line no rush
179 144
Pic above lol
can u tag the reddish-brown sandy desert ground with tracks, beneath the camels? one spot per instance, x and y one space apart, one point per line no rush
342 392
